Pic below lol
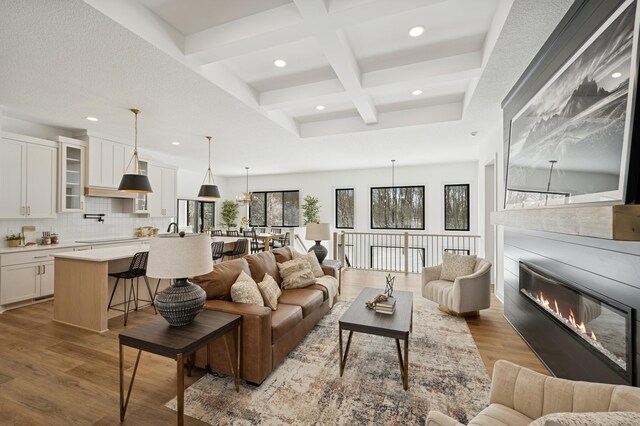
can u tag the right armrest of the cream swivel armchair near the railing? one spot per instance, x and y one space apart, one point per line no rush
472 292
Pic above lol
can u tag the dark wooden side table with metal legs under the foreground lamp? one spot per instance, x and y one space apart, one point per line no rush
178 343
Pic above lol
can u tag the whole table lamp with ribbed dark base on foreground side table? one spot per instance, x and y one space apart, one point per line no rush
178 257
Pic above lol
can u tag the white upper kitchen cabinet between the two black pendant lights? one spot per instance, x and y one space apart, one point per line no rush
162 202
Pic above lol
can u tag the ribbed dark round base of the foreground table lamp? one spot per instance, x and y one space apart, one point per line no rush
181 302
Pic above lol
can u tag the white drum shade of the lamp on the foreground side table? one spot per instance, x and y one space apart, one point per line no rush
171 256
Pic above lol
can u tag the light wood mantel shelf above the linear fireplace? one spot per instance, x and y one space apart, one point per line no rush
614 222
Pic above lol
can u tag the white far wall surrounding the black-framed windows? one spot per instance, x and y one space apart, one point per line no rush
323 185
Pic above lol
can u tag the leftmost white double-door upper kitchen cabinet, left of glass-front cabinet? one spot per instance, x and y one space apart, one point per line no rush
27 177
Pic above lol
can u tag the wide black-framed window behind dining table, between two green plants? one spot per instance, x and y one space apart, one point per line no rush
275 208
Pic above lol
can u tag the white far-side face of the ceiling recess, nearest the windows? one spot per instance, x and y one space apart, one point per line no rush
386 120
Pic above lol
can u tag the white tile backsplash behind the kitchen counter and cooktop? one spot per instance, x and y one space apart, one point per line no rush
73 226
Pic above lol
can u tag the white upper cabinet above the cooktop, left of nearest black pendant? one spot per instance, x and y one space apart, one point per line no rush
107 160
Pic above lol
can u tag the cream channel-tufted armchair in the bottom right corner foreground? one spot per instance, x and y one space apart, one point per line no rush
521 397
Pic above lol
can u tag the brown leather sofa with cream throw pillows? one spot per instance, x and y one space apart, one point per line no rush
267 336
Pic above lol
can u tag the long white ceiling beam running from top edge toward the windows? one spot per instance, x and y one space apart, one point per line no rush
340 56
